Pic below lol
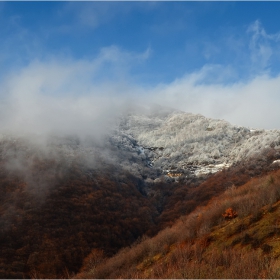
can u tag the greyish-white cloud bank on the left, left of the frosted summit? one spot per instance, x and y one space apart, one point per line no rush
65 96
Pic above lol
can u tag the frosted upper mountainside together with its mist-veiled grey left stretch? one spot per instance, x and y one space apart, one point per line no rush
151 144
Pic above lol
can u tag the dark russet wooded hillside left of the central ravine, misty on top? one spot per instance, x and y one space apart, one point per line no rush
55 206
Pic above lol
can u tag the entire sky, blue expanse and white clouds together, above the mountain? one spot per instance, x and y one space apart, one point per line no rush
220 59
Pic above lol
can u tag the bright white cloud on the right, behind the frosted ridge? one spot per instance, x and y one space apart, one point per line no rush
253 103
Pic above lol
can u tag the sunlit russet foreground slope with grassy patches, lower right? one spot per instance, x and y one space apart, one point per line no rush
206 245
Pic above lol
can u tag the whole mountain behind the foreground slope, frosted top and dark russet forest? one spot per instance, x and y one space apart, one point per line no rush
72 193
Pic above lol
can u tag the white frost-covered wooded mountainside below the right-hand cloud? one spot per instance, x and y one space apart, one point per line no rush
179 143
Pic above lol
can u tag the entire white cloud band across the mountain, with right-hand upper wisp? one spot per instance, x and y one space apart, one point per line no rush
84 96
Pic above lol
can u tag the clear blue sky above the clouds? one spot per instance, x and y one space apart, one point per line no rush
178 37
